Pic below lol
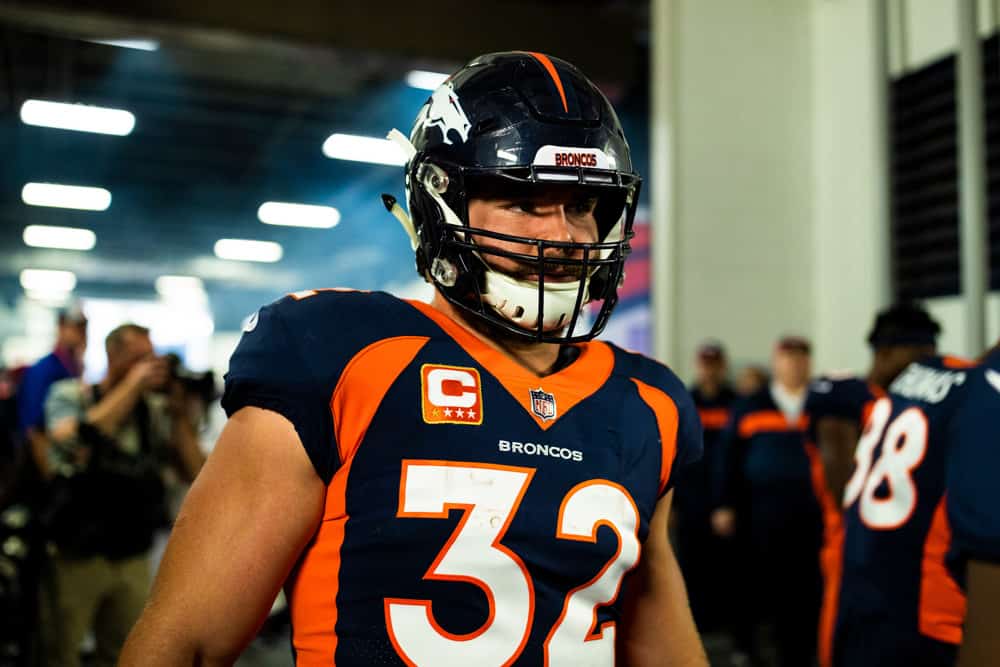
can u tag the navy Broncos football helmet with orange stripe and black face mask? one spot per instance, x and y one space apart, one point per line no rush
519 122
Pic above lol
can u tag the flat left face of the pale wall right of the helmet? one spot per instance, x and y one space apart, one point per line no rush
743 185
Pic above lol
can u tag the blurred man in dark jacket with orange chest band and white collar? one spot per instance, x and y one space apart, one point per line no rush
768 501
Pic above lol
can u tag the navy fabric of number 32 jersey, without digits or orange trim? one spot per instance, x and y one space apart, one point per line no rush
291 363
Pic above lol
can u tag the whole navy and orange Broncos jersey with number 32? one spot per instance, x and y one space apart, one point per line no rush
475 514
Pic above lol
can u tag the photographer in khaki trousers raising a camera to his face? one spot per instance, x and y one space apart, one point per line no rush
113 443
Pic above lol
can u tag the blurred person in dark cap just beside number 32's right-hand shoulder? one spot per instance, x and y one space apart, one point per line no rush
700 552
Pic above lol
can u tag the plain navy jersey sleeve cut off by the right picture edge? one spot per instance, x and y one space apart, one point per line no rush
973 494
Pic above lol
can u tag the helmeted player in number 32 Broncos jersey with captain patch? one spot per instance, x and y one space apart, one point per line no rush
473 481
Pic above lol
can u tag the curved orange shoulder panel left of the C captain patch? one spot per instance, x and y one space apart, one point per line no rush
363 384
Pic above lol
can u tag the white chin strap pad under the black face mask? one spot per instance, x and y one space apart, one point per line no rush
517 301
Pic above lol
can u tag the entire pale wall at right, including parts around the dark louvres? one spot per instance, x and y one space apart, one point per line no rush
776 198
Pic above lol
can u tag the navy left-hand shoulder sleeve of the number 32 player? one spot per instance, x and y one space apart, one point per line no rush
271 370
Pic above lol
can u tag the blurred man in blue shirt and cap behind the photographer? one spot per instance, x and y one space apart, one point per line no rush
65 361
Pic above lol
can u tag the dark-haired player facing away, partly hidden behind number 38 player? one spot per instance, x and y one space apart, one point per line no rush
838 408
